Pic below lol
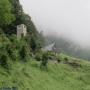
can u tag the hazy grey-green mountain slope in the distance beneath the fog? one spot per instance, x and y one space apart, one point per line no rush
69 47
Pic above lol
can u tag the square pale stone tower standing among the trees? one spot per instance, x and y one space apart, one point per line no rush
21 31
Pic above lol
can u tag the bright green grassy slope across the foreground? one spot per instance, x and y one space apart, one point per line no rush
58 76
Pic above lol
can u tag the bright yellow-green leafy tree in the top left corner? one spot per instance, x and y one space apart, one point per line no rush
6 17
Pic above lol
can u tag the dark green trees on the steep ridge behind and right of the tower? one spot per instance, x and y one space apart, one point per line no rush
34 38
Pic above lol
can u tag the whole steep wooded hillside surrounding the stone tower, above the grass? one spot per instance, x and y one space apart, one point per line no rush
11 48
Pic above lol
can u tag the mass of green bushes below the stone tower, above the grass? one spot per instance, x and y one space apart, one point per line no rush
12 49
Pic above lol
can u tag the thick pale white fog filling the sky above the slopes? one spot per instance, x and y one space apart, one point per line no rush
70 18
